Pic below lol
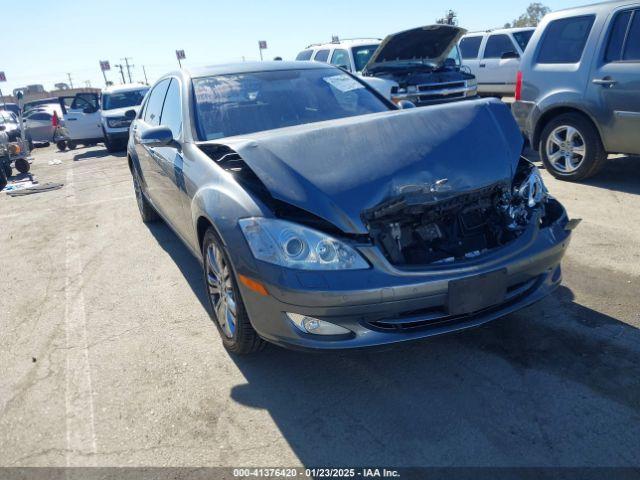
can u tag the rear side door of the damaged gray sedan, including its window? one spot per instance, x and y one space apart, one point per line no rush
147 157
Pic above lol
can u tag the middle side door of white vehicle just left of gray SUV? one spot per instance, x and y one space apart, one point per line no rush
499 64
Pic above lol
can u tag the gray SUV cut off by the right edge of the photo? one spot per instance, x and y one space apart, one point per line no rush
578 89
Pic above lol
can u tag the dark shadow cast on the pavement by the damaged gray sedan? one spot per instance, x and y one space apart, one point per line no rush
555 384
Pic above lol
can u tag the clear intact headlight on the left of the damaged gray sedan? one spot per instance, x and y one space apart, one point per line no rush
291 245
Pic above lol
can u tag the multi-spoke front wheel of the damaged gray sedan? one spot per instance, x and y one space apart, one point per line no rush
227 308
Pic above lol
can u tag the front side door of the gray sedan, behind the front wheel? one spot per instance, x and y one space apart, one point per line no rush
170 163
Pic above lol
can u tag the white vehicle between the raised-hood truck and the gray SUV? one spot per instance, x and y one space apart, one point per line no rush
494 58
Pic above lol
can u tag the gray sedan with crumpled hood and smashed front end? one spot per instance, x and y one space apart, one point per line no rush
326 218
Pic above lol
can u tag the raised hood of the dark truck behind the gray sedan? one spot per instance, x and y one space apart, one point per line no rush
431 43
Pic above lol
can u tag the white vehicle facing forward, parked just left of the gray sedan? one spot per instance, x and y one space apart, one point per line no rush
116 101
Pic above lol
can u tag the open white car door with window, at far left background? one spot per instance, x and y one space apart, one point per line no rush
81 115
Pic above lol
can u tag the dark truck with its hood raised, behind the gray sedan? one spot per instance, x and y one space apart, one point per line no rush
425 63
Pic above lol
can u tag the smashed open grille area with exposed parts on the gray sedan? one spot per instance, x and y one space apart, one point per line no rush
433 225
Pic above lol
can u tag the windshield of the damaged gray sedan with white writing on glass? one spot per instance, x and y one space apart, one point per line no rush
238 104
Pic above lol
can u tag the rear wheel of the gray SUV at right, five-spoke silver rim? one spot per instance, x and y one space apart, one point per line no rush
570 148
